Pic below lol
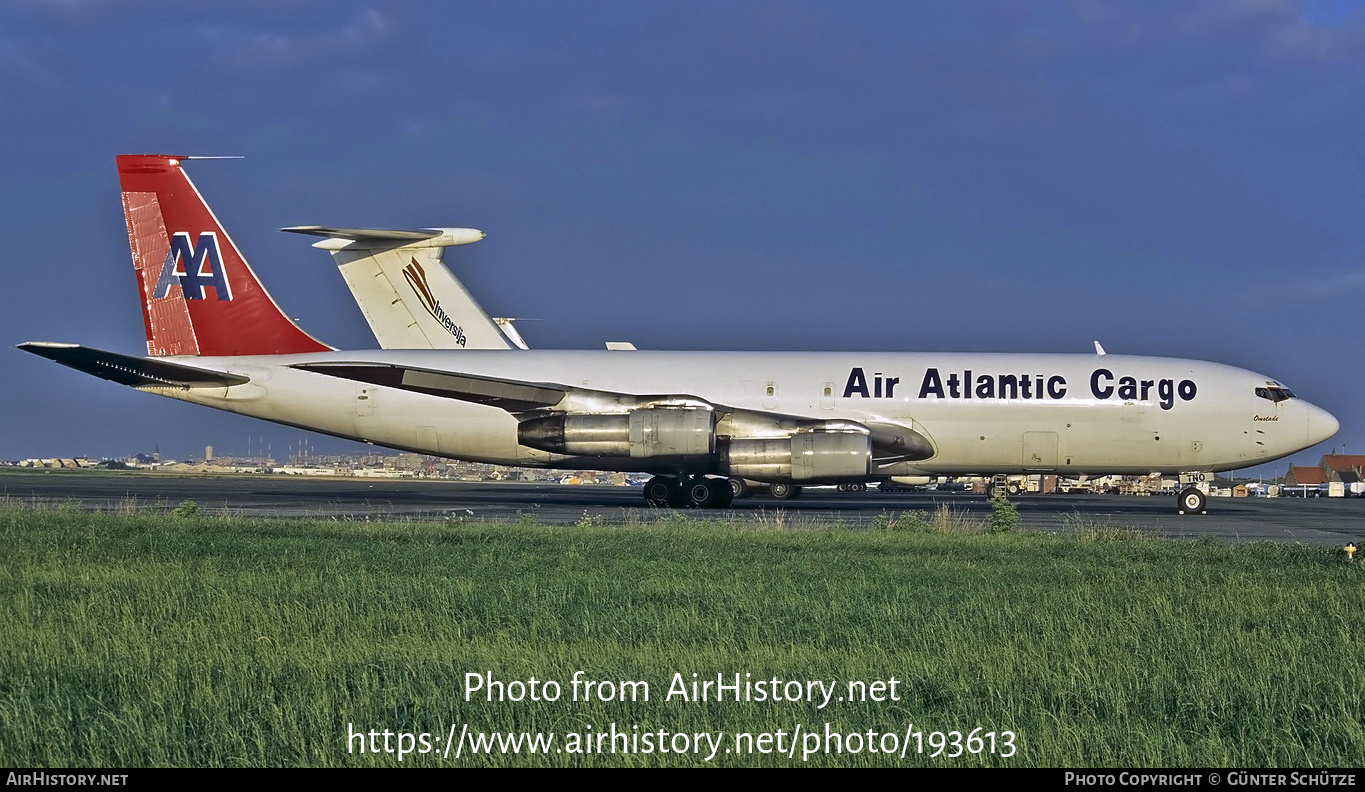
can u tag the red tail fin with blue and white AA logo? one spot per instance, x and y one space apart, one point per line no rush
199 296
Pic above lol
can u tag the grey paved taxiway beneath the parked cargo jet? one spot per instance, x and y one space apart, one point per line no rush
1314 521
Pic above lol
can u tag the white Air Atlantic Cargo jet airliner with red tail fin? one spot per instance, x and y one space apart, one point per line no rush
216 338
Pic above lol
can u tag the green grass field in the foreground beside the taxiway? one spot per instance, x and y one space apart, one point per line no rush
139 640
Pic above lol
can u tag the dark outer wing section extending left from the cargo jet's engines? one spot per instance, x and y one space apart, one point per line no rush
508 395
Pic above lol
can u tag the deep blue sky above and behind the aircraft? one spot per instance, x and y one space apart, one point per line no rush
1179 180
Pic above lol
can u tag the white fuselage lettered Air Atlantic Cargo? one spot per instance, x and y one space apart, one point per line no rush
1079 414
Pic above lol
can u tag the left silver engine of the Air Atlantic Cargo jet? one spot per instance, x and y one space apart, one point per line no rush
640 435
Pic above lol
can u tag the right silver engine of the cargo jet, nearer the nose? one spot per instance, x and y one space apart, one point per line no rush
805 457
